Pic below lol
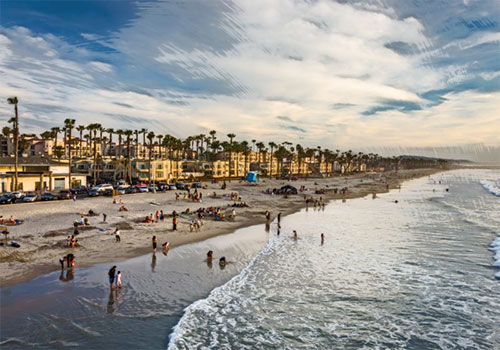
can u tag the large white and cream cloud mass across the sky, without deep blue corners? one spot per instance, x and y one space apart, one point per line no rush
273 58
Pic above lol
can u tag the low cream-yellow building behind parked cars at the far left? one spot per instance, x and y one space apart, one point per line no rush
37 174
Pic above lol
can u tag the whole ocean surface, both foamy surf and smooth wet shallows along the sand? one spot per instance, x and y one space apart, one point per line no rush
416 268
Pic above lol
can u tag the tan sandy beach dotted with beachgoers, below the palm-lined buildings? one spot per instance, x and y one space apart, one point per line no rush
47 225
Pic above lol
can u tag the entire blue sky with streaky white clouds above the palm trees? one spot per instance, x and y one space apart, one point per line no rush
348 74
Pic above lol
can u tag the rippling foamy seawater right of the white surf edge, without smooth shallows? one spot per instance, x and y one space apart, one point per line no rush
411 274
